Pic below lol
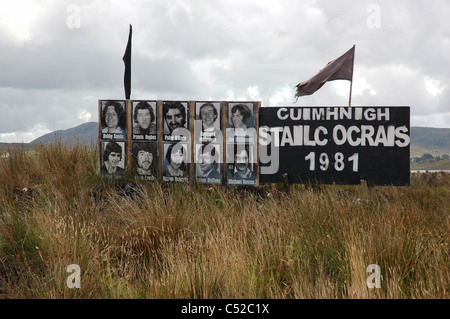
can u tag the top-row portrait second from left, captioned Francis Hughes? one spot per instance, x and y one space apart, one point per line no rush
144 120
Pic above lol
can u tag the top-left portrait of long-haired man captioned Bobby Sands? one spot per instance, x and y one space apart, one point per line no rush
113 119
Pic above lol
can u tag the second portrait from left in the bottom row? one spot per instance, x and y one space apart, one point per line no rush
145 159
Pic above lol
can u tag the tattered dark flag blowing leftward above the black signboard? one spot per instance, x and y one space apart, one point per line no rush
339 69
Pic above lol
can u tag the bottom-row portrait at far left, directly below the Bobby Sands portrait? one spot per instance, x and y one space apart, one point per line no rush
112 158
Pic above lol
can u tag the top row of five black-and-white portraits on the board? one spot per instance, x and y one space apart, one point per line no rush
175 115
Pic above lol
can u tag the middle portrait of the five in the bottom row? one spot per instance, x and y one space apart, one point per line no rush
175 162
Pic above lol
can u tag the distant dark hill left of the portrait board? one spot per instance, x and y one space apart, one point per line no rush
85 134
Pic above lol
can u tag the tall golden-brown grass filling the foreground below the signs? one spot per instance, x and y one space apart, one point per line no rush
174 241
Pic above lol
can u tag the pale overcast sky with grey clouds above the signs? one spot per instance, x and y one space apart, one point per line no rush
58 58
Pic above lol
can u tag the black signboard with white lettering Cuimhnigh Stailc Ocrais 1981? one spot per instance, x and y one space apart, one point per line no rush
341 145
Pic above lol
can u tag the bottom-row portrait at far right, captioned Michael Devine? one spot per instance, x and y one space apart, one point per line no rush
241 164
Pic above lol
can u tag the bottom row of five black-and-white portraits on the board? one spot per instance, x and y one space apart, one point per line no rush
240 162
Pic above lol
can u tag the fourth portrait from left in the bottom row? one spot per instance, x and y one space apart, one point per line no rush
208 159
